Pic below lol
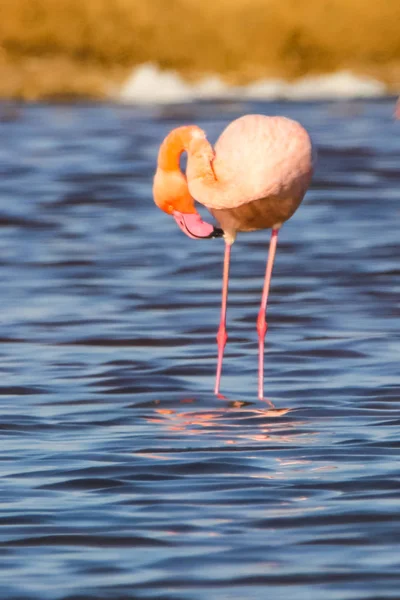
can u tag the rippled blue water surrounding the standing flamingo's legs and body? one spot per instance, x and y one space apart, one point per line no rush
122 476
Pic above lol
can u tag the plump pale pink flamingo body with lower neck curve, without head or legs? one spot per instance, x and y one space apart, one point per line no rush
263 167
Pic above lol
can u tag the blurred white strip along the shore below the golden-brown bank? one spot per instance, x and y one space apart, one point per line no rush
149 85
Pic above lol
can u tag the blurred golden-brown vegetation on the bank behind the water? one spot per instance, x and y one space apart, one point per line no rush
61 48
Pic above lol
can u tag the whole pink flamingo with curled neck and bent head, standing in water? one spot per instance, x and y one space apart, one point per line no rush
255 179
